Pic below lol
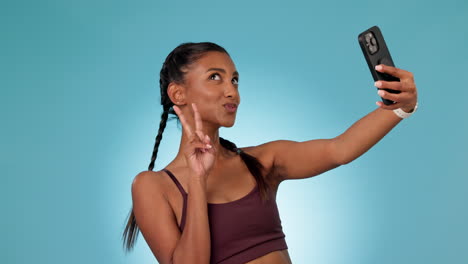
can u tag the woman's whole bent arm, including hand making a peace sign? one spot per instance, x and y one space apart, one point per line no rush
154 215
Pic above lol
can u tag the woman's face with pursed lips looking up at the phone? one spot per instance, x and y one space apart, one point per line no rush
211 82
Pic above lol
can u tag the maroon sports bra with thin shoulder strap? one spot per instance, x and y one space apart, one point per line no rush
241 230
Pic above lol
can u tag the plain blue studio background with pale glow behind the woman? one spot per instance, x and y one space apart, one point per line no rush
80 111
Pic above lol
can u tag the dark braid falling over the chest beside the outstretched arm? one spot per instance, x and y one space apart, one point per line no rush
254 166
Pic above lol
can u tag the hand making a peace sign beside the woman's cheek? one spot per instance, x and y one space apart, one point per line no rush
198 151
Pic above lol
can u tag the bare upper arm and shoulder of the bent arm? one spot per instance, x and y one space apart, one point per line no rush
154 215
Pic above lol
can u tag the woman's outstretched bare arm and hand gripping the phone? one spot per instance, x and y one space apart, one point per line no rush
297 160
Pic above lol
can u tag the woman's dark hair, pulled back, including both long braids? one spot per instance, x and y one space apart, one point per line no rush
173 70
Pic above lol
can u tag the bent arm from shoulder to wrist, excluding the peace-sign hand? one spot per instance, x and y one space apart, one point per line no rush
158 225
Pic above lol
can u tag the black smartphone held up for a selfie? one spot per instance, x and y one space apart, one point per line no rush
376 52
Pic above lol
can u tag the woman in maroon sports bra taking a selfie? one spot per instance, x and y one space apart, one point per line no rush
215 203
